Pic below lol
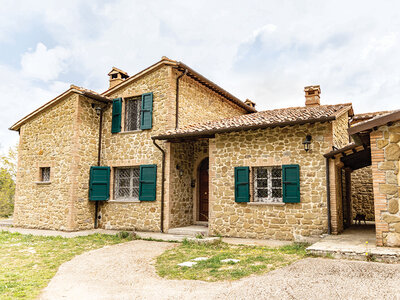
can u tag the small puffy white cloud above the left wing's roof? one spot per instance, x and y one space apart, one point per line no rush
45 64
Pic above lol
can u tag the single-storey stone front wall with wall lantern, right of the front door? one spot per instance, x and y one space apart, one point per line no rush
270 147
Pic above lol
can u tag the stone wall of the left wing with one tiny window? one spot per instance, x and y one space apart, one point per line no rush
48 140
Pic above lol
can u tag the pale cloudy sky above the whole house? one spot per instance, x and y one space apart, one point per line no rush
263 50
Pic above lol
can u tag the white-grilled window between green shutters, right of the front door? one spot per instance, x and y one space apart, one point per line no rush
267 184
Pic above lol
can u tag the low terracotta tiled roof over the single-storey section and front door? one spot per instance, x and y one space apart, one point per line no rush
263 119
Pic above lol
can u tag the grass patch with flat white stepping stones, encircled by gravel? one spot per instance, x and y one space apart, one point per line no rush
253 260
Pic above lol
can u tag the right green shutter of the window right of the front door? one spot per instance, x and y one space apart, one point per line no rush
291 183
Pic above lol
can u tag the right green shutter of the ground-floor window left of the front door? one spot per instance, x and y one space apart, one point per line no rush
147 182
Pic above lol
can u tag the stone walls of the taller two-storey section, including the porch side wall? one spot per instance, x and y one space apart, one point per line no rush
197 104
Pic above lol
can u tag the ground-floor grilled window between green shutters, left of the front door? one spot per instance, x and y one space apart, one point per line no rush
126 183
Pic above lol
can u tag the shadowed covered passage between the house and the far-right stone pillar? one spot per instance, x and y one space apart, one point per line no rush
346 182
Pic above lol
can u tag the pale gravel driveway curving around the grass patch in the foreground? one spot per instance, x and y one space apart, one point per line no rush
126 271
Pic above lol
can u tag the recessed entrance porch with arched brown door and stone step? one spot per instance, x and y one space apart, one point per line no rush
187 186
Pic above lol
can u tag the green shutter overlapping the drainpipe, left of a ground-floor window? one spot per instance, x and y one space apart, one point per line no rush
99 184
